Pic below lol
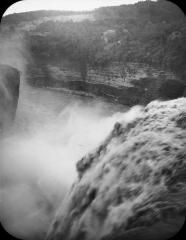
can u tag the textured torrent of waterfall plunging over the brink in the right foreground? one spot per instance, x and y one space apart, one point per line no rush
133 186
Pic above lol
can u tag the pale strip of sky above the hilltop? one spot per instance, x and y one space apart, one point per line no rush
73 5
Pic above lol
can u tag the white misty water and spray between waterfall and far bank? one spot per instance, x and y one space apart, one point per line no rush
52 131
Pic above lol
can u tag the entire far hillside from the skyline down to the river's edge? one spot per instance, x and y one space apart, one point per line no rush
129 53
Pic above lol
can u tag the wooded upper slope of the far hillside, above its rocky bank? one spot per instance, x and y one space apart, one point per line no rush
148 33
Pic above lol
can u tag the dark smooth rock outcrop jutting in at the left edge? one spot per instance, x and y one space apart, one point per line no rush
9 93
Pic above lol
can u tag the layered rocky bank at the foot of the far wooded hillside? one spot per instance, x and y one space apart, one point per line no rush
128 84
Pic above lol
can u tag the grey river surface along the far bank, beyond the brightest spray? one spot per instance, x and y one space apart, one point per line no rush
39 106
